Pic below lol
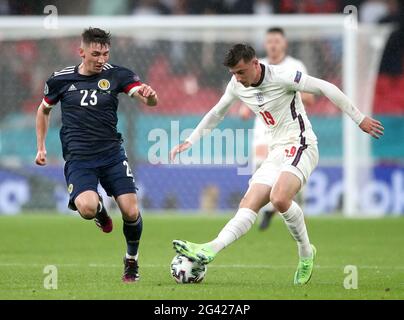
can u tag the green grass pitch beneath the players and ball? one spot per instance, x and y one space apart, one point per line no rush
259 266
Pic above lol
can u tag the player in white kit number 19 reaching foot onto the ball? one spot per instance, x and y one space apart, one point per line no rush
273 94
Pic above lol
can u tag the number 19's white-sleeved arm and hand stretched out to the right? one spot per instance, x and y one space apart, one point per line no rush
332 92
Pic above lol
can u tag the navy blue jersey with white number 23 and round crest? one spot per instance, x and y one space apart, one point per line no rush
89 109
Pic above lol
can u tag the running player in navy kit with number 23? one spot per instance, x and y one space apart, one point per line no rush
92 146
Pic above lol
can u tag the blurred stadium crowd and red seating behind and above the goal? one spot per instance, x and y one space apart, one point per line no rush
30 62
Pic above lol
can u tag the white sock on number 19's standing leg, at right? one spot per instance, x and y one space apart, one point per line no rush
294 220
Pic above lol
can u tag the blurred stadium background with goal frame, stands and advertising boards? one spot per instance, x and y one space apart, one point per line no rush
177 47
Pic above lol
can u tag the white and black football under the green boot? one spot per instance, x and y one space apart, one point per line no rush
184 270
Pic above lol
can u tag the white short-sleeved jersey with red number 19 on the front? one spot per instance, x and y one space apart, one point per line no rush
276 101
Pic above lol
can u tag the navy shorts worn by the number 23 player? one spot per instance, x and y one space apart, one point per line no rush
112 172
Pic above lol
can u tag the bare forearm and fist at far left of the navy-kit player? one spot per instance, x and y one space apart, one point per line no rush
42 124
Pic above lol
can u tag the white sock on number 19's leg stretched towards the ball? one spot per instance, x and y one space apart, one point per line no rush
234 229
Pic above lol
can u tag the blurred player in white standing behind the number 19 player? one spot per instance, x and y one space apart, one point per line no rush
276 46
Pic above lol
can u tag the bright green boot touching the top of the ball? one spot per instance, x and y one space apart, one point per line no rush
201 253
